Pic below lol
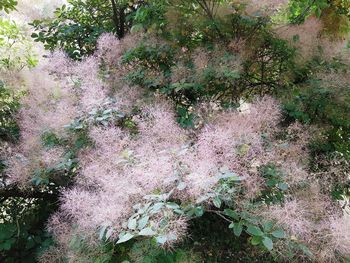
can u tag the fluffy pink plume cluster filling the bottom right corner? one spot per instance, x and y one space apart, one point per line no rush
313 219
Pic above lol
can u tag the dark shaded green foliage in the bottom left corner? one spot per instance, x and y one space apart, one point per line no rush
22 230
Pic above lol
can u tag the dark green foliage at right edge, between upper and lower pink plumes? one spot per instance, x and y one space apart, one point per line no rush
326 106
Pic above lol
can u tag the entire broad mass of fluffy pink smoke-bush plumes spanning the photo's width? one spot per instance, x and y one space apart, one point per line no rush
121 168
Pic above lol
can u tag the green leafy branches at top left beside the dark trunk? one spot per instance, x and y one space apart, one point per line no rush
77 25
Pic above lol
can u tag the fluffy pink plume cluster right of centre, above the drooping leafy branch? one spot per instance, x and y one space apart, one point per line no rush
233 140
